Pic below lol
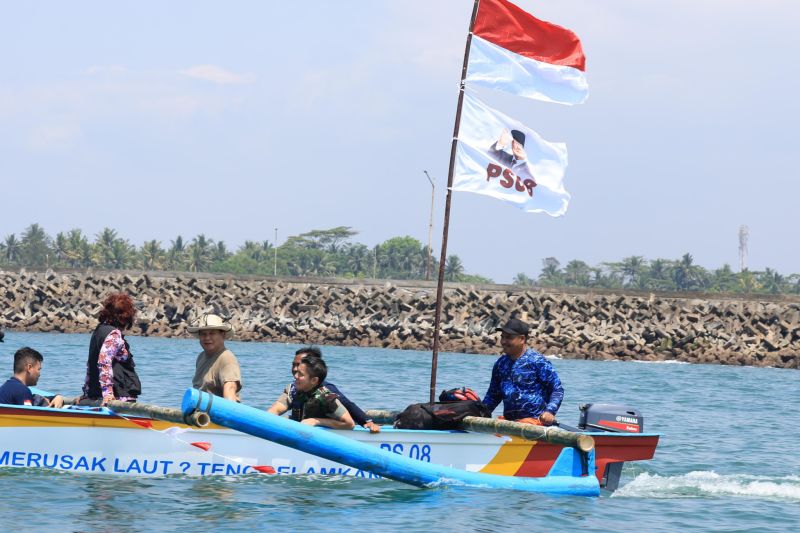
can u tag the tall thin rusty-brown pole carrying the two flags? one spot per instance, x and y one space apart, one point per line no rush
446 226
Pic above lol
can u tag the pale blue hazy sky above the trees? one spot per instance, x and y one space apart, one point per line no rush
230 119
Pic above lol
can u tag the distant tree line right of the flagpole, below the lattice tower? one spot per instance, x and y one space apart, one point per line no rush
636 272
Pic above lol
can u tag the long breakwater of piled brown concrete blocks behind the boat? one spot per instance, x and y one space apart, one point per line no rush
575 324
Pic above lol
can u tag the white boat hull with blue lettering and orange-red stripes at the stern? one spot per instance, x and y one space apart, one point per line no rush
100 441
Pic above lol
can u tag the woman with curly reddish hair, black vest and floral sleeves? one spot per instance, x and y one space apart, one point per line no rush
110 370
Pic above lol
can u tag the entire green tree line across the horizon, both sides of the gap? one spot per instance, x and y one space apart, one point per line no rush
333 253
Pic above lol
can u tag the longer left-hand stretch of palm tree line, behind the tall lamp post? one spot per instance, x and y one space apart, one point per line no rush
317 253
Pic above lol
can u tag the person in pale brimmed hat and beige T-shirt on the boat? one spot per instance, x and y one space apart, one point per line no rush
217 370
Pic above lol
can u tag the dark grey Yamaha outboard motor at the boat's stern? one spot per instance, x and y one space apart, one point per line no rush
612 418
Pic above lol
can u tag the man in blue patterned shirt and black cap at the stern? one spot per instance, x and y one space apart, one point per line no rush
523 379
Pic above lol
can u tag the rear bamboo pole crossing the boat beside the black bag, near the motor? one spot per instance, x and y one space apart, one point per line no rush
551 434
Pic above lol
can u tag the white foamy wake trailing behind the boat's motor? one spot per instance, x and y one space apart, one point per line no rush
706 483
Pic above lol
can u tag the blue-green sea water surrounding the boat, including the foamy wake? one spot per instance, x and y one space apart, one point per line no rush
727 461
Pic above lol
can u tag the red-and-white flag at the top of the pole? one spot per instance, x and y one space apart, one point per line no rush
515 52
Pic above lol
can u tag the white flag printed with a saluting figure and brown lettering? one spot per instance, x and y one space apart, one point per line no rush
502 158
